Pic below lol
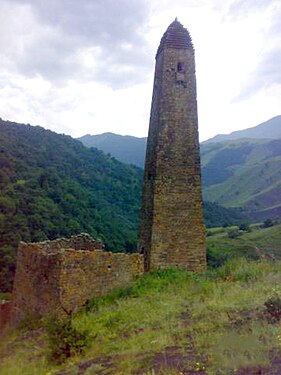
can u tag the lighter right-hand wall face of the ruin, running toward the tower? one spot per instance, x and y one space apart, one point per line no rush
85 274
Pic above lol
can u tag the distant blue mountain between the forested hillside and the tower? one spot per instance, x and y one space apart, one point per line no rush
128 149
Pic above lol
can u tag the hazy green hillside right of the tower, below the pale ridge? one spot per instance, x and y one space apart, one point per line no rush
244 173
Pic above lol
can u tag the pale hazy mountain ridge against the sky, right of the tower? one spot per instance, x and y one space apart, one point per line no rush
270 129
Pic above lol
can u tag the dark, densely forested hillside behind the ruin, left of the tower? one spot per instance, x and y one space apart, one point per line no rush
52 186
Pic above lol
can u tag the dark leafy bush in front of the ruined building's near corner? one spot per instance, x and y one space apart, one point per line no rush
64 340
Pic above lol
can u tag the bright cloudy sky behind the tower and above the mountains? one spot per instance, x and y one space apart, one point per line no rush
86 66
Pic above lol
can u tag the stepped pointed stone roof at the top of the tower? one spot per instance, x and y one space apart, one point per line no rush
176 36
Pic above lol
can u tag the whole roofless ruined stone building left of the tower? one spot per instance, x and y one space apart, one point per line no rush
52 277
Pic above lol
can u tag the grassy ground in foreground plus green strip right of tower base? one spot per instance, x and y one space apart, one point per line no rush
172 321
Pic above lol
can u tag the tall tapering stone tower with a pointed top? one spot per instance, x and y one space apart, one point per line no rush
171 230
